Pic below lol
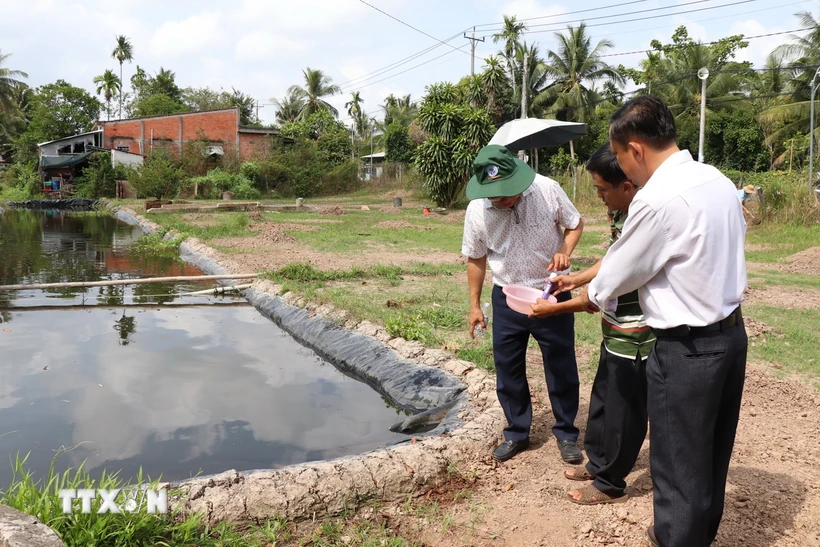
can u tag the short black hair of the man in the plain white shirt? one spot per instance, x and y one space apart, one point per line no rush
646 118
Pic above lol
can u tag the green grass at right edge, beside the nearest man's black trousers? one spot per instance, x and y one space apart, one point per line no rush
795 345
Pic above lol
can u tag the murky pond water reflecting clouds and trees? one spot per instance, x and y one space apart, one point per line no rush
134 377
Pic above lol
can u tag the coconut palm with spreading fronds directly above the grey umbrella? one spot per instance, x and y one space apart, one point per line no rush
573 70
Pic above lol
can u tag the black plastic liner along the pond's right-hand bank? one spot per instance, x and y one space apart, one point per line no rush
409 386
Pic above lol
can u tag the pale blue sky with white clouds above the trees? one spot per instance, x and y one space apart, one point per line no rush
261 47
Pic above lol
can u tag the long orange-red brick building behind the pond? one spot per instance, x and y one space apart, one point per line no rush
220 129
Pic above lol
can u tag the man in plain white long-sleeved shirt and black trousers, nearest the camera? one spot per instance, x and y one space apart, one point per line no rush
682 248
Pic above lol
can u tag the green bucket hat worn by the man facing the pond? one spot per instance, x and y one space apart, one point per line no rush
498 174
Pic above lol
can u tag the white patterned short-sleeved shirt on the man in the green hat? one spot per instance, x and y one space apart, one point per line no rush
520 243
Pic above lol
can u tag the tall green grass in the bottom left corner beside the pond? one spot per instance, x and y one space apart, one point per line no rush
128 529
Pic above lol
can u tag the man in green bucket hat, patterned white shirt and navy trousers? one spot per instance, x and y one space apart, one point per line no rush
524 227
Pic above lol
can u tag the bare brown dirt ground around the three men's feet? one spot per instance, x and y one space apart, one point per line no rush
773 495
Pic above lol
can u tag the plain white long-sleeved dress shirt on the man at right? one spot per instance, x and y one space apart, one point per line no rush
682 247
